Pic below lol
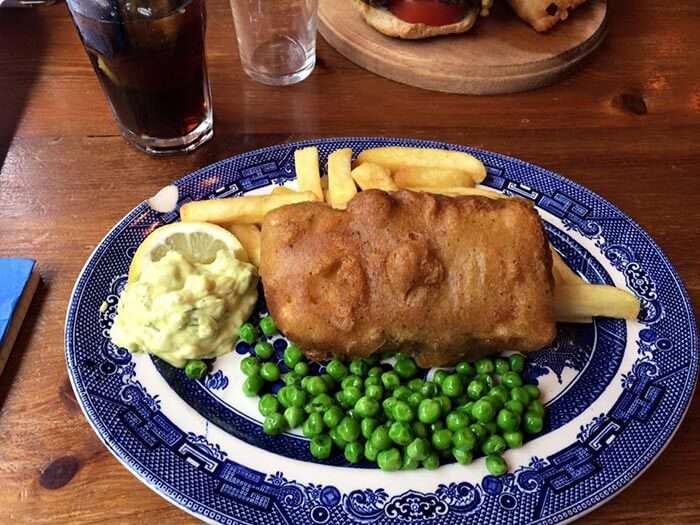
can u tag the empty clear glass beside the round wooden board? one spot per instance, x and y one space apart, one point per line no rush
276 39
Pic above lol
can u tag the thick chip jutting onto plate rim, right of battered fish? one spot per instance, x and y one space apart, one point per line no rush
582 301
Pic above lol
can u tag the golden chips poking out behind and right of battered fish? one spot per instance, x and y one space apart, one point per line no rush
429 170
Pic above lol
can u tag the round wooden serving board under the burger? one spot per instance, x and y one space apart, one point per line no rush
501 53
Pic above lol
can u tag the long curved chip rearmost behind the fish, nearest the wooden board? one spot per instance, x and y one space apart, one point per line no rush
394 158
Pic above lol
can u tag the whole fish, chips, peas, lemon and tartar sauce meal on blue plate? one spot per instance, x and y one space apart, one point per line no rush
390 265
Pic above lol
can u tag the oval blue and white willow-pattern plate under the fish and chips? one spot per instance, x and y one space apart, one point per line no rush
616 391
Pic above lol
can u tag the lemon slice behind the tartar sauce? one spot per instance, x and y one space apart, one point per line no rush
198 242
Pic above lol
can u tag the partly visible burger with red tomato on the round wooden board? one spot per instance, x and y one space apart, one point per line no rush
415 19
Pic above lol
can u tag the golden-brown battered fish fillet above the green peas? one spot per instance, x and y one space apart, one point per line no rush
440 278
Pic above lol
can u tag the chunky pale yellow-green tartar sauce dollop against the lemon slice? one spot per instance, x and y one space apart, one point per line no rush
178 310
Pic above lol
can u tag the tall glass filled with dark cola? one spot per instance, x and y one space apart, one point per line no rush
149 56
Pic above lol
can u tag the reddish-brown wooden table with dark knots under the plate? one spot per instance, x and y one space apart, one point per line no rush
627 126
